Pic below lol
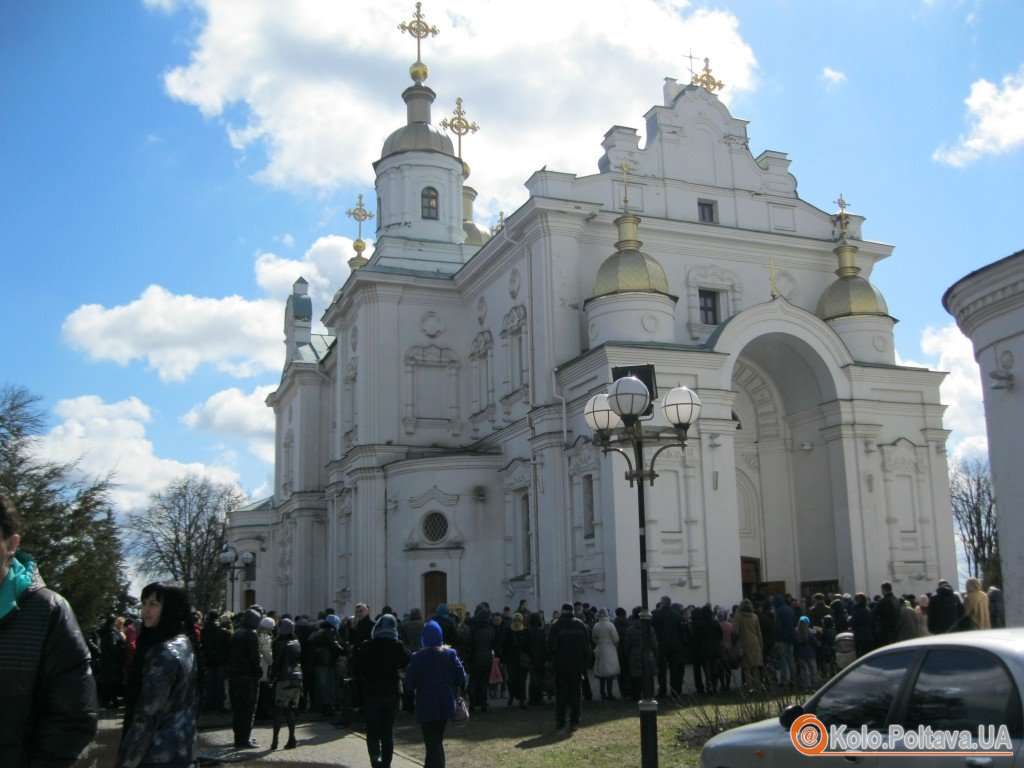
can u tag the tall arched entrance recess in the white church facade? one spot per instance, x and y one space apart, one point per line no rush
786 396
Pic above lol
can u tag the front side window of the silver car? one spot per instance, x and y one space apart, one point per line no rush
865 695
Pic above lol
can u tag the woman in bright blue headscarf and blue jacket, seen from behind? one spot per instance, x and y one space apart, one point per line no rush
435 673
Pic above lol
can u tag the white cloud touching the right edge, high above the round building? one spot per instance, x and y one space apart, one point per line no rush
996 115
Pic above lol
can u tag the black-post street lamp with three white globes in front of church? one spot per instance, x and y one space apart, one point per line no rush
616 420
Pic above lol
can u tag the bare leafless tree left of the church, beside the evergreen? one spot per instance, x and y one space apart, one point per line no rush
182 534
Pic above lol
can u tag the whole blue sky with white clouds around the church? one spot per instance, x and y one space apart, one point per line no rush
167 169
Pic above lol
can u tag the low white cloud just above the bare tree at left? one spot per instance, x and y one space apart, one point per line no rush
111 438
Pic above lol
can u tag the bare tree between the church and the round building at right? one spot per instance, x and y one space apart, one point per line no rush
975 519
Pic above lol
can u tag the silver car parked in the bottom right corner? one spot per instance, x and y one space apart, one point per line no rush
949 682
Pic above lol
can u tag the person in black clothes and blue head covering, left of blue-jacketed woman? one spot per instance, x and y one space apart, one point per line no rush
378 662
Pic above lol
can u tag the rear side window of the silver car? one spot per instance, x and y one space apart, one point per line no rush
961 689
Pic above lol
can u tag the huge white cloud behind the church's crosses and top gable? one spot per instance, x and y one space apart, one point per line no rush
321 101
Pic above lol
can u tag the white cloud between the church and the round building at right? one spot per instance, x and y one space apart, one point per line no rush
961 392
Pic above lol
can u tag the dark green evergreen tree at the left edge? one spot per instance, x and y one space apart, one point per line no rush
68 523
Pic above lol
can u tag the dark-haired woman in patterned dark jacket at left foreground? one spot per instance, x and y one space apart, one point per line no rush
161 703
